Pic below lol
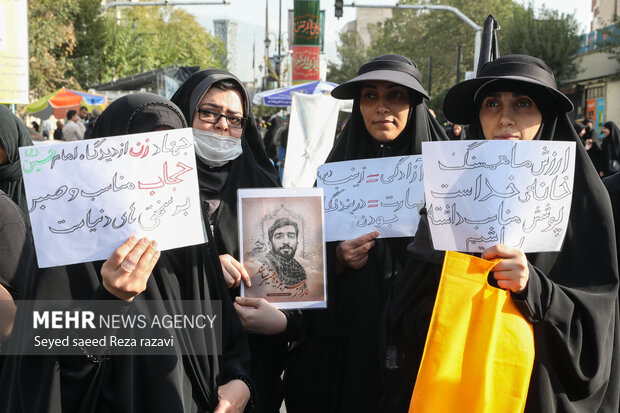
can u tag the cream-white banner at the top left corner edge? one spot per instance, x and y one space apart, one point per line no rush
14 81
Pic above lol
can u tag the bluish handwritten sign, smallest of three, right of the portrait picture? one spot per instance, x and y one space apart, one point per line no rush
372 194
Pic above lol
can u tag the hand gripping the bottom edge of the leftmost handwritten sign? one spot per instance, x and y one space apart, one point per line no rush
128 269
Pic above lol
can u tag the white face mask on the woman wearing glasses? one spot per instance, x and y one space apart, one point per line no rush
216 150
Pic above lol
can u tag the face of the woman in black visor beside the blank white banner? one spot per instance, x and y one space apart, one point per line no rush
385 109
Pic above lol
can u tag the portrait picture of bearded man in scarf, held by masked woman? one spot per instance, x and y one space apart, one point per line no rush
282 246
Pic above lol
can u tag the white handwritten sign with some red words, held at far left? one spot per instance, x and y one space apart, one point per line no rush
86 198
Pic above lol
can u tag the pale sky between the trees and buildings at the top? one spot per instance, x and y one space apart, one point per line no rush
250 16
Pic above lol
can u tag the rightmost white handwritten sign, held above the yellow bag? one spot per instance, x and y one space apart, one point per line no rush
483 193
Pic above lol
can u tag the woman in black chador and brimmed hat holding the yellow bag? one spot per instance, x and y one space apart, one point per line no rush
570 297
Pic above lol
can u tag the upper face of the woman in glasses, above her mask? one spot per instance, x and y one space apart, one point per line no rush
215 102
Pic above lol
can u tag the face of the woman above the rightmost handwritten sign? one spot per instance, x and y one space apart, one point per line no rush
509 115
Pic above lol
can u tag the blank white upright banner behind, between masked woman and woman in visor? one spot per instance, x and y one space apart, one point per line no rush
311 135
